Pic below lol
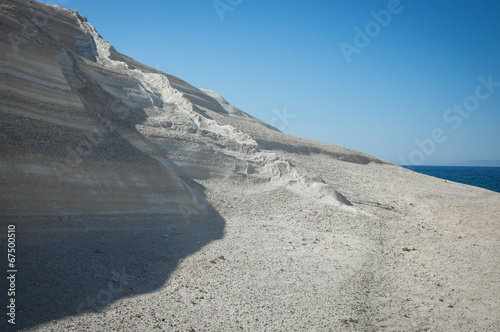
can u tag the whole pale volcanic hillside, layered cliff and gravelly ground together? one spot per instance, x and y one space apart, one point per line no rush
143 202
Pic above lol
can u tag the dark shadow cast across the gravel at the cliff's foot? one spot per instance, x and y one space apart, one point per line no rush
69 265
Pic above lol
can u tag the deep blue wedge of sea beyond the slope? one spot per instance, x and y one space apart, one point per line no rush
484 177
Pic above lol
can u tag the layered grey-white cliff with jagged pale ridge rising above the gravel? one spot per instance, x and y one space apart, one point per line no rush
69 80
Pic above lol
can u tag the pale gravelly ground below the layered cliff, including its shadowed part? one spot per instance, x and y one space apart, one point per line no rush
264 258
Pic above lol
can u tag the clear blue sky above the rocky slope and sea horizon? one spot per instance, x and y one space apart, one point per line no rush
269 55
